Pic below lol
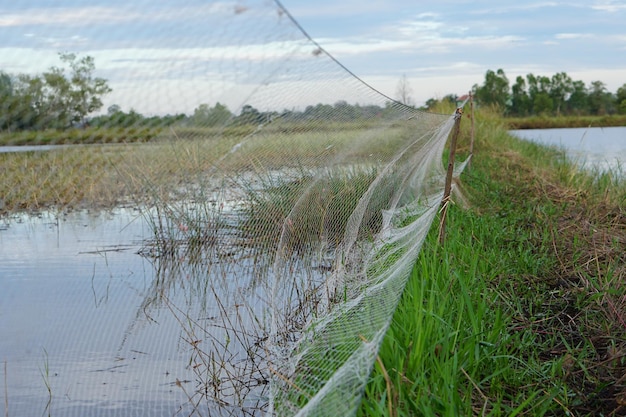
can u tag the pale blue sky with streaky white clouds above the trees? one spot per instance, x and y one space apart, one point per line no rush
168 56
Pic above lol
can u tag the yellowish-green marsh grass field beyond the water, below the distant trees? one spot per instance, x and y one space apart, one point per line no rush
103 175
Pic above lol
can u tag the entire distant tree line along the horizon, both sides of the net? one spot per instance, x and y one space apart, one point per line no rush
66 96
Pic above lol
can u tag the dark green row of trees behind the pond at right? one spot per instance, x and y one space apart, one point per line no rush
542 95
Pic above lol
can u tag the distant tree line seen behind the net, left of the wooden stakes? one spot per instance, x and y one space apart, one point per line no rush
67 96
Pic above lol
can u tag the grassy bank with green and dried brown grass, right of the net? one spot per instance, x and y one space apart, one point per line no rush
523 310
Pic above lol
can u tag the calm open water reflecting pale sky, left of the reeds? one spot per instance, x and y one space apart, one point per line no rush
88 326
